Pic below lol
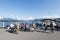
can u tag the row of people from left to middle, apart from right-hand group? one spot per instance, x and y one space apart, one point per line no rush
14 28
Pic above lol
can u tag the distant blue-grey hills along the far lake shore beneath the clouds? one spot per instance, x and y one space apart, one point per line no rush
35 20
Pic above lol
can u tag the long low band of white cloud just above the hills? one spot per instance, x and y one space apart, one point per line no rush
31 18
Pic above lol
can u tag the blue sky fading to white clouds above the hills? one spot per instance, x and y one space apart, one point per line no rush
29 9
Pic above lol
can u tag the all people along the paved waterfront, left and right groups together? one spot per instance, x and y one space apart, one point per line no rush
14 28
